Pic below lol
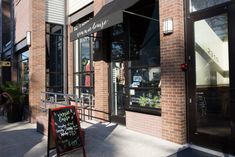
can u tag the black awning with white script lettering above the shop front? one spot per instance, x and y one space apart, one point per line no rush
111 14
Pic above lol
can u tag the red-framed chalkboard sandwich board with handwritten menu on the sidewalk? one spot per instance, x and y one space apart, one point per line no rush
65 127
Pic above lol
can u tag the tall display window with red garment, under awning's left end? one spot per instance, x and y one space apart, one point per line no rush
83 67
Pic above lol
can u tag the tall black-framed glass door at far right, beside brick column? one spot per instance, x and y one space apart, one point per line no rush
211 79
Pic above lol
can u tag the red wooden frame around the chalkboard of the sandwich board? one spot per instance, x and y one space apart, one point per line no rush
52 137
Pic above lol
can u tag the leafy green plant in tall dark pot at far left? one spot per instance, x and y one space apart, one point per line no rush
13 101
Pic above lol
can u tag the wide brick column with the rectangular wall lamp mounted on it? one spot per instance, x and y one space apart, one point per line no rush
172 78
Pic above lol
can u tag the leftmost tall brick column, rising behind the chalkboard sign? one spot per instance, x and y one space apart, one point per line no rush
37 62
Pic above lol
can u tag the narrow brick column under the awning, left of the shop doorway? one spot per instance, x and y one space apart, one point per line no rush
101 78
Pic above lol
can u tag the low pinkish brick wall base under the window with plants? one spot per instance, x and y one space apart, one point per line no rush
144 123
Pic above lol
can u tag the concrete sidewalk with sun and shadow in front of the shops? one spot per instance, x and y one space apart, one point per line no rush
101 140
